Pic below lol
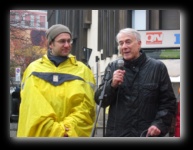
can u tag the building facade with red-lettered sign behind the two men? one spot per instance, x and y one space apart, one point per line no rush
94 34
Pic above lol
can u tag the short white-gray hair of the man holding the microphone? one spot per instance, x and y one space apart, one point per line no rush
129 31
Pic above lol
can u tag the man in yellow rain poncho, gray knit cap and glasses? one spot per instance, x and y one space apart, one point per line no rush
57 92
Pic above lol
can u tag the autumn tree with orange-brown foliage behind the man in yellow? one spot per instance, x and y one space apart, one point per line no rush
26 43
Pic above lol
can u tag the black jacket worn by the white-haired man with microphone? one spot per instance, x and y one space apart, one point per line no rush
145 98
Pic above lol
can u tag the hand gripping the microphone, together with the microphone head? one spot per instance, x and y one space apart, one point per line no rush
118 74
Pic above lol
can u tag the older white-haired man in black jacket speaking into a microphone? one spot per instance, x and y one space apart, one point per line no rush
139 94
